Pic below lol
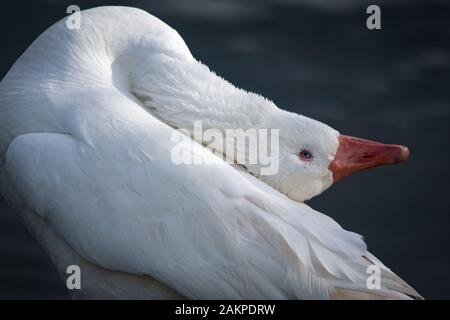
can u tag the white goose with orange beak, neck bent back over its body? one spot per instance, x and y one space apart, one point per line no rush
86 118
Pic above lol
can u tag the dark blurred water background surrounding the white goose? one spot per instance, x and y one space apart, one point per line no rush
314 57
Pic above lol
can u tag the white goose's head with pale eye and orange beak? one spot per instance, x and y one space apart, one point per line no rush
313 156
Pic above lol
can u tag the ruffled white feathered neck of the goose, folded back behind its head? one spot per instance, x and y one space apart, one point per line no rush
229 121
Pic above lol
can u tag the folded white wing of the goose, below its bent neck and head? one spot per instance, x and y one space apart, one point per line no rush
110 189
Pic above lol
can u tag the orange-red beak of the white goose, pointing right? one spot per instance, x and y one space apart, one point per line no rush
355 154
